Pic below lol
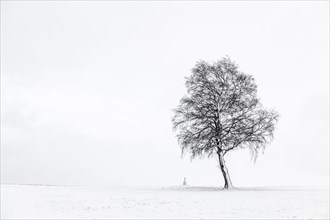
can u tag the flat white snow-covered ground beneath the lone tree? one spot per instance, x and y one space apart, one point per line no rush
33 202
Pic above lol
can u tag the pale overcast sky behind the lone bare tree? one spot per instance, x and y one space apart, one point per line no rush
88 88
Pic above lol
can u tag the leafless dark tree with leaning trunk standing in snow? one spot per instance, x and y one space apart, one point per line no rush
221 113
